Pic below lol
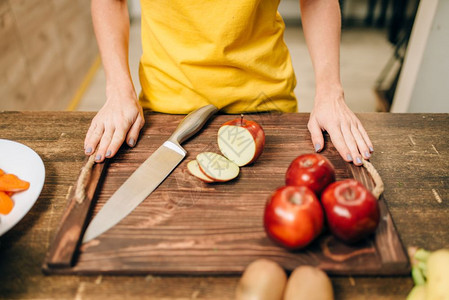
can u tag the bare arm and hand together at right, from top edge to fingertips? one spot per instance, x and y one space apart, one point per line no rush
321 21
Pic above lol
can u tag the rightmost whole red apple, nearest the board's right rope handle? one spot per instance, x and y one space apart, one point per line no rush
352 211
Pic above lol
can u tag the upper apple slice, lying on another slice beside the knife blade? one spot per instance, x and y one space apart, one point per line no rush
217 167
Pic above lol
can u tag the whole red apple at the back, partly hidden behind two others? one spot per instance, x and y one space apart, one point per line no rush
312 170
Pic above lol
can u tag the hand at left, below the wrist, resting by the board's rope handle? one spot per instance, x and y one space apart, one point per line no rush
120 118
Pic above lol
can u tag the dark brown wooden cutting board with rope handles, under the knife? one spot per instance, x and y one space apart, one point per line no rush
190 227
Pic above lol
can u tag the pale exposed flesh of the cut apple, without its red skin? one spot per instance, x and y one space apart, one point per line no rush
237 144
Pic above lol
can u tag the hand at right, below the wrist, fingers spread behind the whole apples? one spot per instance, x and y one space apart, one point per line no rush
331 114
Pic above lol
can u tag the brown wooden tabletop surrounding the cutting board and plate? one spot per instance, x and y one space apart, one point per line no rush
411 155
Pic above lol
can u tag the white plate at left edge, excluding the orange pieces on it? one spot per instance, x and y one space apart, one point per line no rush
23 162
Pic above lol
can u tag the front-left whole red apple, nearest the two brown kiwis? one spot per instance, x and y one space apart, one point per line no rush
293 216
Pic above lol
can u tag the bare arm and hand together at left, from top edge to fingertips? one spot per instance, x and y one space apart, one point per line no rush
121 117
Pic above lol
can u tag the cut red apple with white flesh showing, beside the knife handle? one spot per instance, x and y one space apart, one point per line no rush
241 141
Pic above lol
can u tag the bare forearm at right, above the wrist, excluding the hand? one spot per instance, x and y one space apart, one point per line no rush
321 22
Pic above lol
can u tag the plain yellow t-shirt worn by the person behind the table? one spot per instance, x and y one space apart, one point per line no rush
229 53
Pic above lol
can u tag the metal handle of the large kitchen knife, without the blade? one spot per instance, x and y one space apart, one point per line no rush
192 123
